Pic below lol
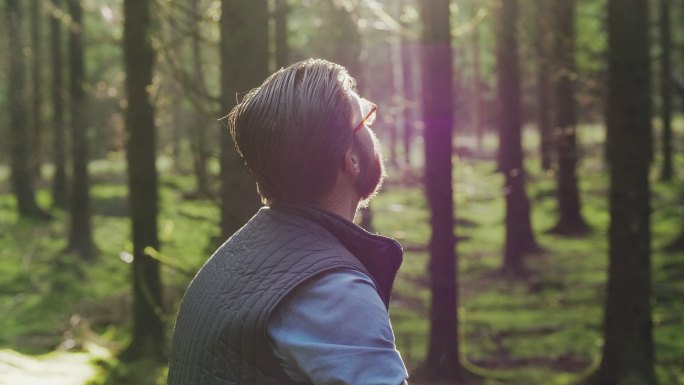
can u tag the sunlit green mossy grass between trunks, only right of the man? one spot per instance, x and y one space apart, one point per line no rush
545 329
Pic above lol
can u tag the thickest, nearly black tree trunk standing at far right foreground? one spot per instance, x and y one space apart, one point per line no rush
628 352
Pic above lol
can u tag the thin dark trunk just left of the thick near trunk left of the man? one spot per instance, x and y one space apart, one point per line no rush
80 234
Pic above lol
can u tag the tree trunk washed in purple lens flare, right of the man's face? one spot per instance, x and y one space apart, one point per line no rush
437 75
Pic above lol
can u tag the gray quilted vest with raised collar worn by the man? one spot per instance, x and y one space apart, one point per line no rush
220 334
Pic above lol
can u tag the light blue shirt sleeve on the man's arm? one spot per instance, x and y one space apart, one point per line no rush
334 330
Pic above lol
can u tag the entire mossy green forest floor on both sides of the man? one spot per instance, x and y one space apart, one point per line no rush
64 319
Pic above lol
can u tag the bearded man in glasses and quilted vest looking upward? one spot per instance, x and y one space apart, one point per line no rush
300 293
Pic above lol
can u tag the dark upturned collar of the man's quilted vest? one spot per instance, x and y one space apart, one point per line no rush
380 255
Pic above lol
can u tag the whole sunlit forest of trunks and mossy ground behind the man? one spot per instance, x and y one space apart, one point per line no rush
534 160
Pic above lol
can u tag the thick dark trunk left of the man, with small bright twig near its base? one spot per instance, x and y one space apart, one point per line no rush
139 56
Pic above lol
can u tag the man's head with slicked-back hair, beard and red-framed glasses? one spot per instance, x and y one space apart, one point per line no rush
296 130
